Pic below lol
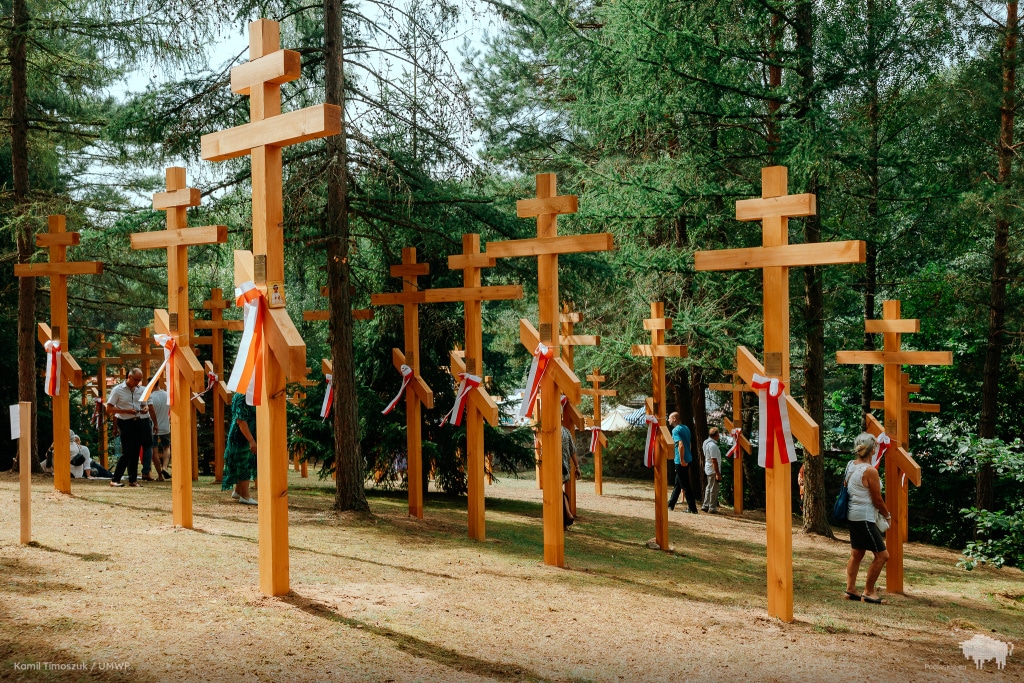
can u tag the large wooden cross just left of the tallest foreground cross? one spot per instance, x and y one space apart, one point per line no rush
176 322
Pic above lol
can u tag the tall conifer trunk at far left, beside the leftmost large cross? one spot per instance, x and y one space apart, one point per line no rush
18 55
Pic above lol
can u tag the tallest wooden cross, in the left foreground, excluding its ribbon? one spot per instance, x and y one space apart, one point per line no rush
284 352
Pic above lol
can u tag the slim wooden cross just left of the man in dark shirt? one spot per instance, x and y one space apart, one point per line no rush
658 352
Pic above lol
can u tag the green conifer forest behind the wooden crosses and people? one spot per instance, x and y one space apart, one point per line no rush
900 115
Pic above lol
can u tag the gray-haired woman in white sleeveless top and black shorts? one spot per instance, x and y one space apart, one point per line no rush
865 488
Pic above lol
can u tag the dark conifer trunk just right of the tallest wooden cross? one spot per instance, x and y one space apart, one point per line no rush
349 458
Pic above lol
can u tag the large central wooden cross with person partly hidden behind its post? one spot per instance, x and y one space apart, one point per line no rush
546 207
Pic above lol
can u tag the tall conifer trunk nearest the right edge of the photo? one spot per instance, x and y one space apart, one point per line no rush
985 496
